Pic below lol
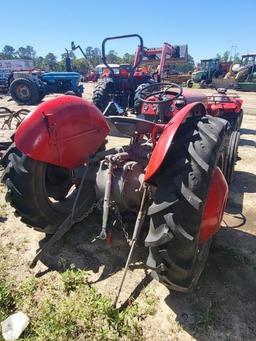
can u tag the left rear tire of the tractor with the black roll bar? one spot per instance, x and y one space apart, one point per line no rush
102 93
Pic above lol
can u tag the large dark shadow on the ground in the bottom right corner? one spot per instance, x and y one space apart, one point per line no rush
223 305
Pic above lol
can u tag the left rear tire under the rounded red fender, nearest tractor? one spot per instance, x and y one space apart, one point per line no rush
39 192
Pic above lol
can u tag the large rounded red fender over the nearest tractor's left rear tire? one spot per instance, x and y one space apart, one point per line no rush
63 131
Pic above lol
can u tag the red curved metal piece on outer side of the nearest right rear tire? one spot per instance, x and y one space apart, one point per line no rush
214 206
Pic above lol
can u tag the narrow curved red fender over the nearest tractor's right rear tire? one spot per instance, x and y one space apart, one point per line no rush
166 138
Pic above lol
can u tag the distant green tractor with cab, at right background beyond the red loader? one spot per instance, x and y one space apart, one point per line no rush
209 69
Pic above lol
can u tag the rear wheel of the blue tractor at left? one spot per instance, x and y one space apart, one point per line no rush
24 91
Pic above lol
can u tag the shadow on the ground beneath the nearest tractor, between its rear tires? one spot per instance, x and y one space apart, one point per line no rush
76 249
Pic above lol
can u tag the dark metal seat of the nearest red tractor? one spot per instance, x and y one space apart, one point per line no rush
128 126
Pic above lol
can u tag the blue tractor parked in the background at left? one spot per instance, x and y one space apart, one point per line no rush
30 87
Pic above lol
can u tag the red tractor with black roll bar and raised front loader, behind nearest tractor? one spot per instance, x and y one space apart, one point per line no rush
121 85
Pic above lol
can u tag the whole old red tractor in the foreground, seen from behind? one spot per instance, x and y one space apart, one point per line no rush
170 169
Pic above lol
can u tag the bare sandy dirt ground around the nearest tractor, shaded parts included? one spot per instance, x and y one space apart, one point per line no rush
221 307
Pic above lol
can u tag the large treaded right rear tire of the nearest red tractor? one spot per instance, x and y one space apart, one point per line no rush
175 255
